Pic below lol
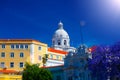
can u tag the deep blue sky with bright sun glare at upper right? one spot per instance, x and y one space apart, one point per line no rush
38 19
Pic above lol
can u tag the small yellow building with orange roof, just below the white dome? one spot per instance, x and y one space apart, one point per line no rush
55 57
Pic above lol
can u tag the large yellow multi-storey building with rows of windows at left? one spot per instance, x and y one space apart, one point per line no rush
14 53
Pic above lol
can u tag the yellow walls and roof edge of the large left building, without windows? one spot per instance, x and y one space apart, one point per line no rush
27 53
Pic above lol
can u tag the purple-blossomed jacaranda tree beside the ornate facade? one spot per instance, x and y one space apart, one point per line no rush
105 62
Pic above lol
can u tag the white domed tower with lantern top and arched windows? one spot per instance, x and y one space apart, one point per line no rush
60 38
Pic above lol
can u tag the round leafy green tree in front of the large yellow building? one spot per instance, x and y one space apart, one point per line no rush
33 72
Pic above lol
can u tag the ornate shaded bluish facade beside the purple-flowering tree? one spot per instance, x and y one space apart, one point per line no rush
75 65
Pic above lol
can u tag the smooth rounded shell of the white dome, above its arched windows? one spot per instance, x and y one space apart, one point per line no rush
61 33
